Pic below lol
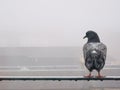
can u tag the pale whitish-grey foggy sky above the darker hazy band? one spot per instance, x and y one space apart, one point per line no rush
58 22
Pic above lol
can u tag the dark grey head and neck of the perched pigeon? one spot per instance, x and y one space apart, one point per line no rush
92 36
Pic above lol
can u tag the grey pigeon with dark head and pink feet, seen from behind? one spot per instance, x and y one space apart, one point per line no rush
94 53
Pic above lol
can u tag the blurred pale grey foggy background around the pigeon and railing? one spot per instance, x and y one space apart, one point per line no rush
45 37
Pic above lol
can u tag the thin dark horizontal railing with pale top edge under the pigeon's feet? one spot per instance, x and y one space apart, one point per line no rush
58 78
